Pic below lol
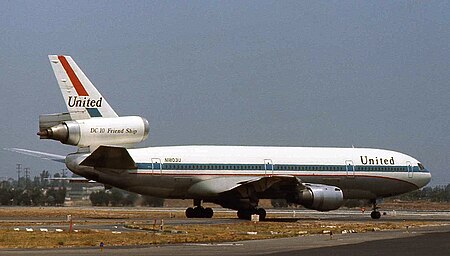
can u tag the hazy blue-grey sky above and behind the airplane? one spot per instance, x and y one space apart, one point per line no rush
342 73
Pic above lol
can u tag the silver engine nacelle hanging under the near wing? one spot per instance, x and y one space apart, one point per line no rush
320 197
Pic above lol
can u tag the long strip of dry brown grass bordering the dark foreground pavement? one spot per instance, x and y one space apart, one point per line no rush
186 233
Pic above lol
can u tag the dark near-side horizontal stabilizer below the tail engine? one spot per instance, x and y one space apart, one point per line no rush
110 157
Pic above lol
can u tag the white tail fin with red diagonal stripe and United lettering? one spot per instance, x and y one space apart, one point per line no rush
82 99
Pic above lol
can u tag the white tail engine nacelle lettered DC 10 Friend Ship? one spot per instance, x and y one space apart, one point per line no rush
125 130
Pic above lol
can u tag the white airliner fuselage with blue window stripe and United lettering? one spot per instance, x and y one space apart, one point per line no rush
359 172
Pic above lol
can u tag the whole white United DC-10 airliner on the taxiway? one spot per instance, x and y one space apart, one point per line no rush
234 177
